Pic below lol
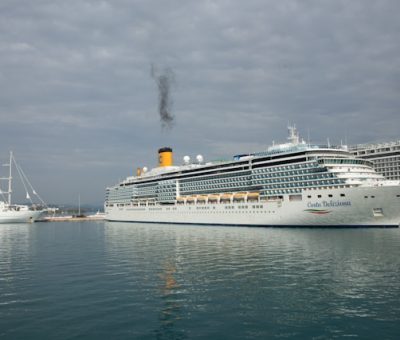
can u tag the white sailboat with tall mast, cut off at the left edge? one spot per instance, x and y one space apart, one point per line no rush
18 213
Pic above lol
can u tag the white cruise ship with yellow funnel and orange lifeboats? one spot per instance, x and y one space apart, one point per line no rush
291 184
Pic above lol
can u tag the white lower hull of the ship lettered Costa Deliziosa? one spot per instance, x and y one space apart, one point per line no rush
361 206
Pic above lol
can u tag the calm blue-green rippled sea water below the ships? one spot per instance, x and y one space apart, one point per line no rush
99 280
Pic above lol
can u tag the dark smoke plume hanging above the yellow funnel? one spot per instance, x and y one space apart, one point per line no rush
165 81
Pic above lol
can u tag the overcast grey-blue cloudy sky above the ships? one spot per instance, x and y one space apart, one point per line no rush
79 106
